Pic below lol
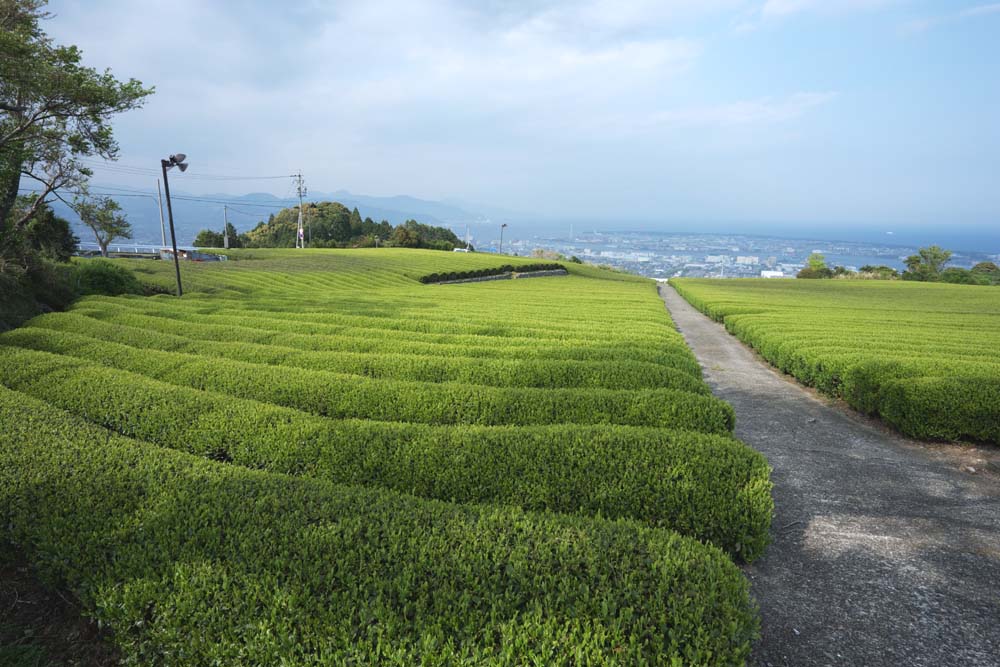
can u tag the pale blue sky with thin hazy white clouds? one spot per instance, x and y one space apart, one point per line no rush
806 113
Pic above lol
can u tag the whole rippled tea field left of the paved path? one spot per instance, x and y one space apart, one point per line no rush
313 458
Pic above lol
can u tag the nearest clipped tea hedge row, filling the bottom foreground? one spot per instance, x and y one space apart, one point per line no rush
194 563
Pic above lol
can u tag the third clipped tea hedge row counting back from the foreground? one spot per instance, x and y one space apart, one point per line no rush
343 396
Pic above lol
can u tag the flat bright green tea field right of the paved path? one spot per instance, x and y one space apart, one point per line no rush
924 357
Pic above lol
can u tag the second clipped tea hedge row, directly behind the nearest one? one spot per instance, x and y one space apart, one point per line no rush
710 487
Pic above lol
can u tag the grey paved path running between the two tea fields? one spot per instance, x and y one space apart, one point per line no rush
884 551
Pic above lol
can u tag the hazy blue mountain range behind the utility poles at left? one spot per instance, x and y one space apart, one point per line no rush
192 213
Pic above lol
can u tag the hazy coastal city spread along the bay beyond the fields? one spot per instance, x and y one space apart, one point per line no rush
670 255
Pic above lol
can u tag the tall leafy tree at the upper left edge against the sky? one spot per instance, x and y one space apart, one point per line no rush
53 111
